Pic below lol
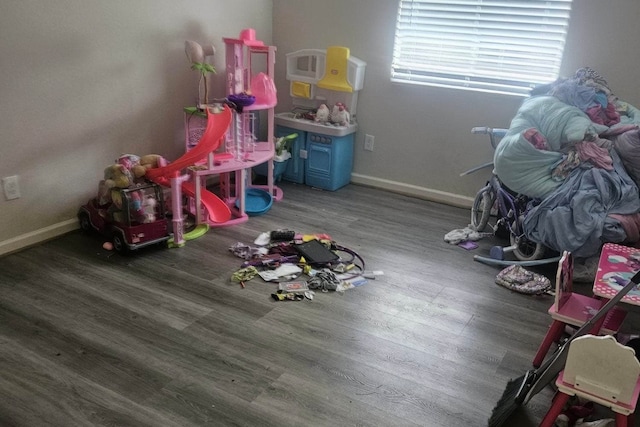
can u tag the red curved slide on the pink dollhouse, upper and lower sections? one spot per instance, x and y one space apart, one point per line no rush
217 125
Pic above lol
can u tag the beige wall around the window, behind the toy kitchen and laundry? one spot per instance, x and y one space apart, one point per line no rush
422 134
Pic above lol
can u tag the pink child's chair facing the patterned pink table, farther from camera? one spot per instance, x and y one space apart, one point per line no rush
574 309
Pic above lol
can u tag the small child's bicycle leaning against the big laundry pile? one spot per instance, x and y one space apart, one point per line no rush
496 206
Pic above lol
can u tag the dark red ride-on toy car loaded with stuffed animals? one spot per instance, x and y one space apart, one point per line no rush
131 217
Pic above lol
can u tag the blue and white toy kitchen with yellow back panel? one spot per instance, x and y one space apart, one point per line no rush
324 86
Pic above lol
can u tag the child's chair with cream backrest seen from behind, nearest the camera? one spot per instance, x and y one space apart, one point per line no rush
600 370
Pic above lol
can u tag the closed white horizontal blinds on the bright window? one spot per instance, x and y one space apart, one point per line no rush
497 46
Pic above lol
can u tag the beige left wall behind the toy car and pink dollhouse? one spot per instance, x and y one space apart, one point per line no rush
84 81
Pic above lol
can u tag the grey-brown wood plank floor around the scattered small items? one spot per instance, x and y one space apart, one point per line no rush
164 338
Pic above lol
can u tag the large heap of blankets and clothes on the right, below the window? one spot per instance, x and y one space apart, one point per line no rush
574 148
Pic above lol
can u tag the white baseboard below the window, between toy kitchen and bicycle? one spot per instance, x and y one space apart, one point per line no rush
414 191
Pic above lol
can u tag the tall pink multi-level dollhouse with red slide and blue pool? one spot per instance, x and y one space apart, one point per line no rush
229 145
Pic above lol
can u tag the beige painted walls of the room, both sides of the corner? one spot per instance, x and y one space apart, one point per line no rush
85 81
